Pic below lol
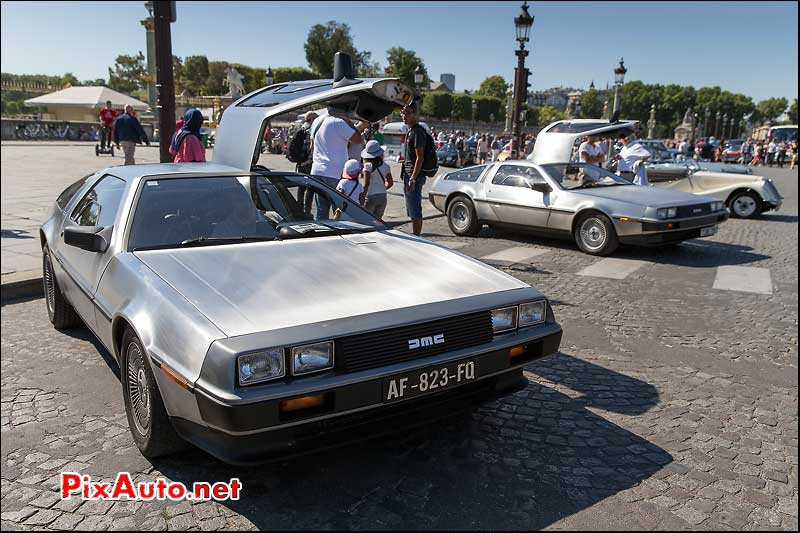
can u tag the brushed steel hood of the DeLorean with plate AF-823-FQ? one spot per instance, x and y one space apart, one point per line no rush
254 287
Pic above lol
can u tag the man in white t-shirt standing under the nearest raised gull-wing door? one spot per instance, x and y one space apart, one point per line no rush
330 135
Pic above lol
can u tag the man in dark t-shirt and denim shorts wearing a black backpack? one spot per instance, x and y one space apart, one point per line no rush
419 163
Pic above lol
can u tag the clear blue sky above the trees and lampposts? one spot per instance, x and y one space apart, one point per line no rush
746 47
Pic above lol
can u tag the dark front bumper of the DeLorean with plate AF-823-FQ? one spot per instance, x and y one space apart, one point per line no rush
259 431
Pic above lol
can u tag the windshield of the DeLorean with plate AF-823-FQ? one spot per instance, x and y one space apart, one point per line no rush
181 212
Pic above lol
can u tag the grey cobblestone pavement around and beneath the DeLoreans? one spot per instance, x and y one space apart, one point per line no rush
671 405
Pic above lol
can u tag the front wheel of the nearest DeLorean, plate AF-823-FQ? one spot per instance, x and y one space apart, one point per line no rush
150 426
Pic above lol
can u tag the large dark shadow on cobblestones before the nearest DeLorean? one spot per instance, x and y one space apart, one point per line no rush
523 462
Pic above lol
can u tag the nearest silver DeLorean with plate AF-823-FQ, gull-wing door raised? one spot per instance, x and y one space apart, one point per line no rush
249 328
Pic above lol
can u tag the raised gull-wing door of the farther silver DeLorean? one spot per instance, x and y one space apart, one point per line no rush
555 143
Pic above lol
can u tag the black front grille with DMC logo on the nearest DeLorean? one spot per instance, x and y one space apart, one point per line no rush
390 346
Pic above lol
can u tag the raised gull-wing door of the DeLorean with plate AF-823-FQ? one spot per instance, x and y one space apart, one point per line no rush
241 129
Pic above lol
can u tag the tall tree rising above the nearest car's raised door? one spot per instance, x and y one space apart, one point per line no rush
324 40
